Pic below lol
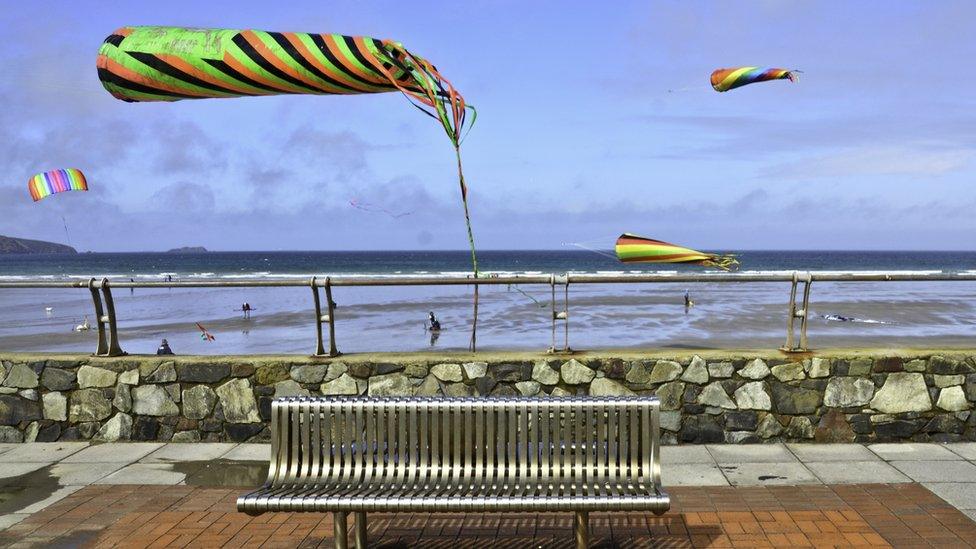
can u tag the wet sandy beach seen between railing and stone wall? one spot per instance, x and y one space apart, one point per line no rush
725 316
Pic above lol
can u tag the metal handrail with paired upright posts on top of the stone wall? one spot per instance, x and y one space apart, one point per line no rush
108 343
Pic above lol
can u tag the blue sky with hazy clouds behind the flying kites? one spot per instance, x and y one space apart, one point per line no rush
593 119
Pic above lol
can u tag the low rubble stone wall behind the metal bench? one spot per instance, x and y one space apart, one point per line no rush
705 397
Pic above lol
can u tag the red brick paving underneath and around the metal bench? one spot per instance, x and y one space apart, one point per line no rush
900 515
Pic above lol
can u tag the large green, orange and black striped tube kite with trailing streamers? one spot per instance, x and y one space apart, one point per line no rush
171 63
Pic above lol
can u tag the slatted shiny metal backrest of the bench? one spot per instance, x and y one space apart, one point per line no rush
456 441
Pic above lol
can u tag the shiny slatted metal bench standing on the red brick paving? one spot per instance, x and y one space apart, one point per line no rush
417 454
